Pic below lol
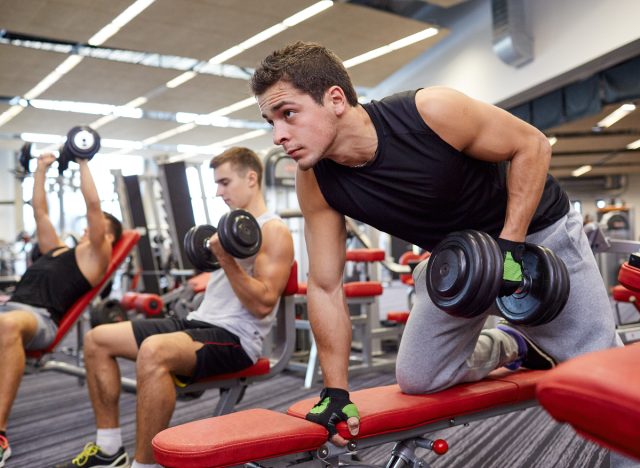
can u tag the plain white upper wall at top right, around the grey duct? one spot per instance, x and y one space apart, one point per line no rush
567 34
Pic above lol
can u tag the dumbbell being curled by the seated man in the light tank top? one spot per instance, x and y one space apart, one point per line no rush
239 234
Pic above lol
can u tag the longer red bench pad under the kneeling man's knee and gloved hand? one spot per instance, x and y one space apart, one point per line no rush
386 409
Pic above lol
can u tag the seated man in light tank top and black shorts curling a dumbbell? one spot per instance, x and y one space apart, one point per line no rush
225 334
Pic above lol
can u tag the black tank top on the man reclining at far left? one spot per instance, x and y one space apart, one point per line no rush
53 283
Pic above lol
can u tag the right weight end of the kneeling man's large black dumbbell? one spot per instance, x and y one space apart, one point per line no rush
546 294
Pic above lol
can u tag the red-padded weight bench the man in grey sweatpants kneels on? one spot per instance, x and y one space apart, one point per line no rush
261 438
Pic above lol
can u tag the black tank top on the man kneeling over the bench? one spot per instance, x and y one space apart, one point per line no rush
419 188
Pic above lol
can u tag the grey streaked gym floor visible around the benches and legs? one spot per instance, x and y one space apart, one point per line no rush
52 420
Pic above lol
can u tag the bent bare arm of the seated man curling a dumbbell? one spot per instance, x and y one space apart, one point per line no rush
260 292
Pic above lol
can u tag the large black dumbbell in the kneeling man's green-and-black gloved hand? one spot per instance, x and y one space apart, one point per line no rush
464 276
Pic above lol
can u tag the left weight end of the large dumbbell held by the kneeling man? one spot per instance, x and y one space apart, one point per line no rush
464 273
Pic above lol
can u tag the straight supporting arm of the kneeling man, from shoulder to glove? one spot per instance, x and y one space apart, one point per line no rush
325 236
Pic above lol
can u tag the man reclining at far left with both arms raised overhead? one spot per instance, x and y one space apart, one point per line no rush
29 320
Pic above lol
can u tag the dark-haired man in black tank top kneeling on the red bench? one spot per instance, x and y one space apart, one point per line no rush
419 165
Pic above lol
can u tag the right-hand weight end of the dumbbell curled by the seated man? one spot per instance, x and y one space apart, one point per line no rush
239 234
